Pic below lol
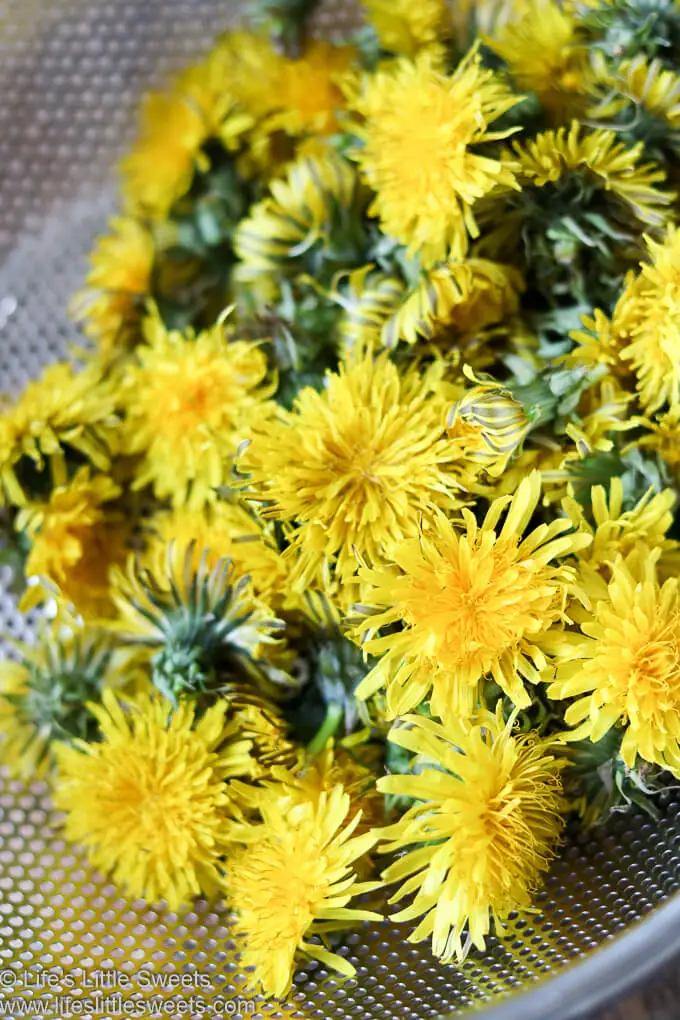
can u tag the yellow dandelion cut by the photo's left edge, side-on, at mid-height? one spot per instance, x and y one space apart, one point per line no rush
66 410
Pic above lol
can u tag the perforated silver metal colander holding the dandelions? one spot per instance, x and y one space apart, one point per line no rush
72 73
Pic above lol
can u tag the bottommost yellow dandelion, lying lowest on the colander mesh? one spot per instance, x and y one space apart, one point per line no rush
293 878
